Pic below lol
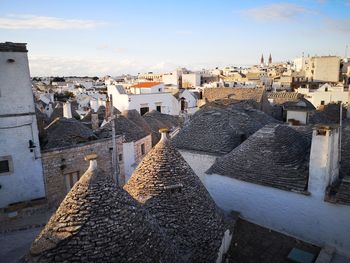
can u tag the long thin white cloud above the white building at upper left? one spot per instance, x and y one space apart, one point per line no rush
45 22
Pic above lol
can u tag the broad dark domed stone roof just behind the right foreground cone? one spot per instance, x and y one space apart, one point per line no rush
220 128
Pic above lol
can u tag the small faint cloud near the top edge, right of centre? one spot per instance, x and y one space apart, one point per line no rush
275 12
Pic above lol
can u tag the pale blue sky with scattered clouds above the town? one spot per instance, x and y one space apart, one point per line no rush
106 37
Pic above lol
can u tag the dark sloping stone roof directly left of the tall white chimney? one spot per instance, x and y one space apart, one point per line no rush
276 156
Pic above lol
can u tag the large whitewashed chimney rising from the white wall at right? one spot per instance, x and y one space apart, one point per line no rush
324 159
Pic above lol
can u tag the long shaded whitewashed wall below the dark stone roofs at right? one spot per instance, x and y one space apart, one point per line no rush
309 218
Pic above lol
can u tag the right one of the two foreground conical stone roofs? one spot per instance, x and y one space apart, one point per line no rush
173 194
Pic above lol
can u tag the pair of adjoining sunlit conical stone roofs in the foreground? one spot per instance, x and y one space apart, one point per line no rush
163 214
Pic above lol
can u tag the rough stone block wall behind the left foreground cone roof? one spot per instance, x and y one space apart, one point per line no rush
59 162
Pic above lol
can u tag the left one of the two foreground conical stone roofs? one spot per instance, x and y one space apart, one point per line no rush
99 222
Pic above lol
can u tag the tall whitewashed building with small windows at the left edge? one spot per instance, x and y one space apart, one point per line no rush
21 174
